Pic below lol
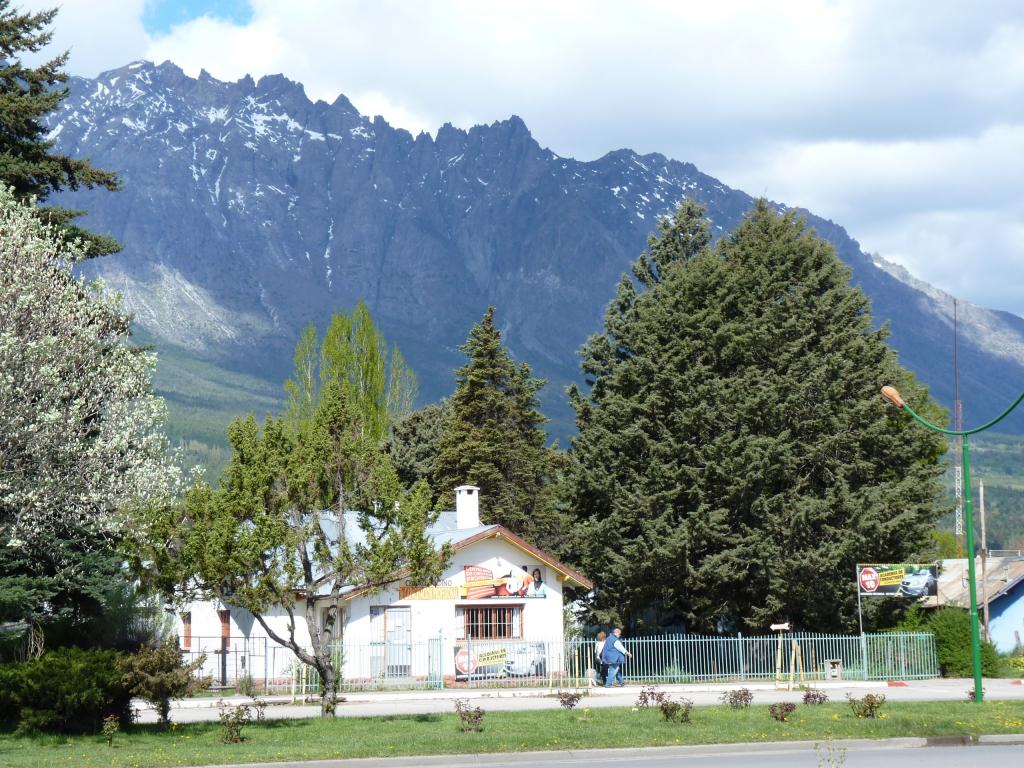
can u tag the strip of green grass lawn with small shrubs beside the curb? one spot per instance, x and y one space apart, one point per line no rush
200 744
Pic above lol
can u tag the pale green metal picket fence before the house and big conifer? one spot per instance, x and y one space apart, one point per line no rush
441 663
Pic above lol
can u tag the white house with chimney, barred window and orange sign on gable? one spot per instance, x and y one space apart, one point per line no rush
497 612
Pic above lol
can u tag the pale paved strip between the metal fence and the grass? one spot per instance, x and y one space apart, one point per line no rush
423 703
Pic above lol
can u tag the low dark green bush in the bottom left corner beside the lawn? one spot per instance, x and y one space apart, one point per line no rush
66 692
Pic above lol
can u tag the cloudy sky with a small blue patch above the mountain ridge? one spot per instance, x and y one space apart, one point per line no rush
905 122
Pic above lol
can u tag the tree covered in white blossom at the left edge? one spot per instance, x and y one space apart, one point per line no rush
81 433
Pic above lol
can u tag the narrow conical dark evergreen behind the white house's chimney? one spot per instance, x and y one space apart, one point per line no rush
495 437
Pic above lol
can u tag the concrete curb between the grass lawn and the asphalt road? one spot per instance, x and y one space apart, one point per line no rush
589 756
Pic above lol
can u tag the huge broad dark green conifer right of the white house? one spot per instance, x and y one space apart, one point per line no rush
735 459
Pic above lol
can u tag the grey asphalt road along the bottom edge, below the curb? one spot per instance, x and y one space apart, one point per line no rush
890 754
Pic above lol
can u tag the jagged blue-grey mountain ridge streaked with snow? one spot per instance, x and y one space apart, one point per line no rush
249 210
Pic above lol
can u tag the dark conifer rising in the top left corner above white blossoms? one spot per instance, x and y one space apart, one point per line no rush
28 95
